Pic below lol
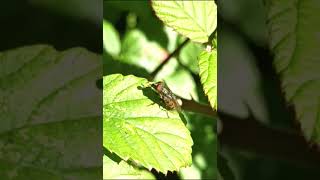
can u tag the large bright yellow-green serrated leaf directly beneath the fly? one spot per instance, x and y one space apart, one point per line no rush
136 127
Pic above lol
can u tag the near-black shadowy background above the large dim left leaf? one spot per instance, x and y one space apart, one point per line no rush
30 22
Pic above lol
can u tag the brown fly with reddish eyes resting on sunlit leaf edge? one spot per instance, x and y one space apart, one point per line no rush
170 100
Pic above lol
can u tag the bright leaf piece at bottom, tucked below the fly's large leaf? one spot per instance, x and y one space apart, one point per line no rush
113 170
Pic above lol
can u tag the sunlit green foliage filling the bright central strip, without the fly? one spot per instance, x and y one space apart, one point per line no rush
138 126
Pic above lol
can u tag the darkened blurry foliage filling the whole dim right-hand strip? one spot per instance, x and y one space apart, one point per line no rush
280 38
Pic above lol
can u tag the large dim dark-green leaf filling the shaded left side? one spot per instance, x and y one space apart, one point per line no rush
49 132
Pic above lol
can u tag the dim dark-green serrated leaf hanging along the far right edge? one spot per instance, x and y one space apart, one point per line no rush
294 31
